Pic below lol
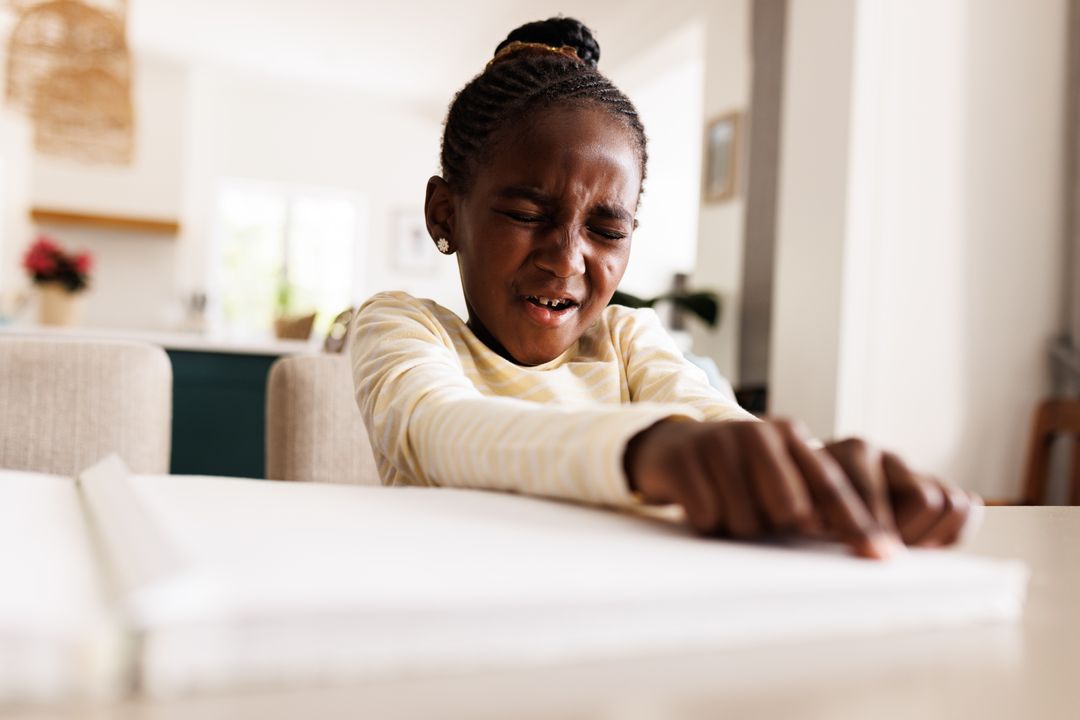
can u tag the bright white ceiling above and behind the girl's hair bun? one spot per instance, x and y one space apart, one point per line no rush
421 51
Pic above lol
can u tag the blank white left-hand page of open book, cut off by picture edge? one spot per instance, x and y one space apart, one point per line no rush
58 636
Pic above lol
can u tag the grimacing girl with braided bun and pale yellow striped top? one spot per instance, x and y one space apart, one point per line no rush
546 389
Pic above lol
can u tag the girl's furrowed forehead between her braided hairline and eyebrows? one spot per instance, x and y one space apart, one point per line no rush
566 144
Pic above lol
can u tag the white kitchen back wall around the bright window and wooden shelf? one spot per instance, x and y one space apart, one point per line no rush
196 127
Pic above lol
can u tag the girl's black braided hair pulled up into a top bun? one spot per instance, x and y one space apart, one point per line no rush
520 83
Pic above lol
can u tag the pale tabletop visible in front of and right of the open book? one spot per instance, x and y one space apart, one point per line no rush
1028 670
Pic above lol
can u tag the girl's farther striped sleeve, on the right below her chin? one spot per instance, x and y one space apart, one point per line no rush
658 373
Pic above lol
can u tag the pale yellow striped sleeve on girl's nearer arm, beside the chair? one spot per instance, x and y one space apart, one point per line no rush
429 425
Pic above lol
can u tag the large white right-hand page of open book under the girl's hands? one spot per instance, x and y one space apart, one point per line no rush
279 582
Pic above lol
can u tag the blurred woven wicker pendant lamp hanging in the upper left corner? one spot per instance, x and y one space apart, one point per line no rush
70 69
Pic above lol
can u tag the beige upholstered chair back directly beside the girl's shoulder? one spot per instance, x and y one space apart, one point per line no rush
315 431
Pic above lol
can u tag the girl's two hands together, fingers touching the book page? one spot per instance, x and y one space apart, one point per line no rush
753 480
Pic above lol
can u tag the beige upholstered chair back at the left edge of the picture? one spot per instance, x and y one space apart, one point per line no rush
65 404
